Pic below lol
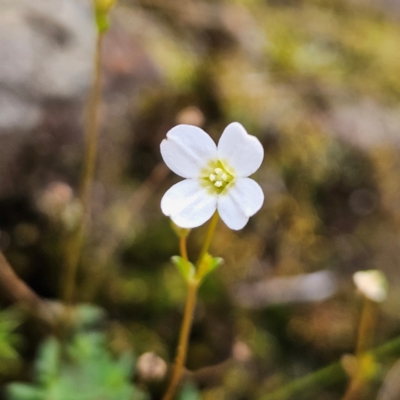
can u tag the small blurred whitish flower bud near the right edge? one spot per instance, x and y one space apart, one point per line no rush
372 284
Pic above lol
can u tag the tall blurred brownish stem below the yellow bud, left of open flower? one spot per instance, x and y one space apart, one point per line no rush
75 245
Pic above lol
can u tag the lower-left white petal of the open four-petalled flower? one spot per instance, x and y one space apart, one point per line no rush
188 204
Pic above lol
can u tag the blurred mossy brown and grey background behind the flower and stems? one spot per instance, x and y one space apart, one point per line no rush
317 82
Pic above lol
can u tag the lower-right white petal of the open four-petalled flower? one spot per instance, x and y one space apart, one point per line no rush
240 202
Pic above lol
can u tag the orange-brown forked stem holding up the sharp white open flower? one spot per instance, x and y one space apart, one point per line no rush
193 285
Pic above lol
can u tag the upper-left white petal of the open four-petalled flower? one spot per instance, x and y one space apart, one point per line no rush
187 149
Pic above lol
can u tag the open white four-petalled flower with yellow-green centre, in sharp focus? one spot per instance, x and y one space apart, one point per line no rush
216 177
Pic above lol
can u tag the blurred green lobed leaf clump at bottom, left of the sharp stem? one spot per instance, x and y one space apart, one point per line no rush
85 370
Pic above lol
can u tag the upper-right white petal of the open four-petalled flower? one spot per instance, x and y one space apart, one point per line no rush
239 150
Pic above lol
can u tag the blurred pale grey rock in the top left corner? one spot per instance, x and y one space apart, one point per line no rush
46 48
